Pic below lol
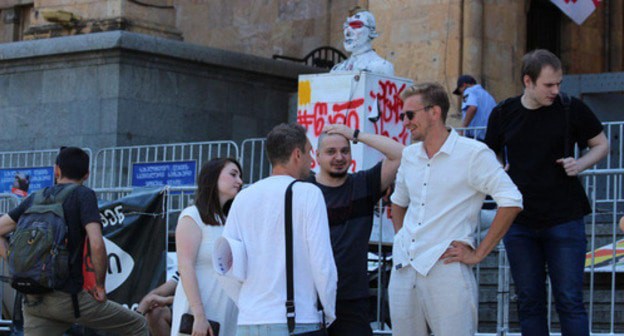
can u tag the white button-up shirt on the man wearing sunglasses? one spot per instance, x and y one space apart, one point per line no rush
443 196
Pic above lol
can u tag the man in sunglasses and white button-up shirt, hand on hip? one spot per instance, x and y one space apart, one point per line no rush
435 213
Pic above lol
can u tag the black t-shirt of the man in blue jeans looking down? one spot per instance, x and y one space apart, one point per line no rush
531 141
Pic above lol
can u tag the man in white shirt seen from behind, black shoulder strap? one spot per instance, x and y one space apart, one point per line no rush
257 220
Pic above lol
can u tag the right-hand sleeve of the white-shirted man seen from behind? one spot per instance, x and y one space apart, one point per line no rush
320 251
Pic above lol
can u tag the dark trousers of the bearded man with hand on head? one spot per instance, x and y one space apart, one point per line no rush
352 318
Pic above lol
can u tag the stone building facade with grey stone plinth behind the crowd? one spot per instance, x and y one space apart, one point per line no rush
196 70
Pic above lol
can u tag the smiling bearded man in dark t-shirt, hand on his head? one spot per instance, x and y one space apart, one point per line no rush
351 200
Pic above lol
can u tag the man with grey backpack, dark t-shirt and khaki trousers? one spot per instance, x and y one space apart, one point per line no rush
53 313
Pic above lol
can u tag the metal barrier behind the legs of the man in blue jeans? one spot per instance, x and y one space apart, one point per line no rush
601 300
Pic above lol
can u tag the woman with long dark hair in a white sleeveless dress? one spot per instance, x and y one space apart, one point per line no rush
199 292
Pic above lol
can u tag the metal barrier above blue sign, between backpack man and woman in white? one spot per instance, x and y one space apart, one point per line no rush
112 167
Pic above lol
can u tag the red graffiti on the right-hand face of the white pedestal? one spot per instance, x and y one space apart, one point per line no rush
389 105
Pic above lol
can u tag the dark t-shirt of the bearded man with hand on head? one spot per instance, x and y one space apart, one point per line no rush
350 208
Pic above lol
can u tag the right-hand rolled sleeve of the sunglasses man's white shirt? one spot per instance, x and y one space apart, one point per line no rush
488 176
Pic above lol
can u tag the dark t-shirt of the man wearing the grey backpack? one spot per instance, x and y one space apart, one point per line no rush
80 208
